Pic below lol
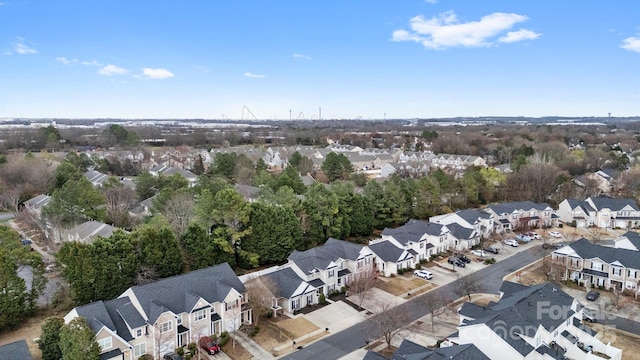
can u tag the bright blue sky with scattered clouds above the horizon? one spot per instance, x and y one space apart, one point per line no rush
372 59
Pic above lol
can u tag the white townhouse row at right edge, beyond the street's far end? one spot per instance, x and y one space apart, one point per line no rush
603 212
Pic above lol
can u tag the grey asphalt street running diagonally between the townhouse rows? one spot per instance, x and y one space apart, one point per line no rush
350 339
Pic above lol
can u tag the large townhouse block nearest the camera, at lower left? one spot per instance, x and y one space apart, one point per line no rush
157 318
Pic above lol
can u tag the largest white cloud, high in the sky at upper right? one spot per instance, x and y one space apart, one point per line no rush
445 30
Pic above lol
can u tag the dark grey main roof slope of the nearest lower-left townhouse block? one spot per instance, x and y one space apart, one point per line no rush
212 284
